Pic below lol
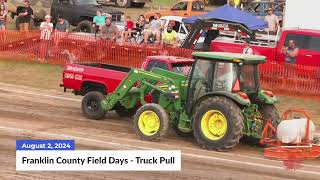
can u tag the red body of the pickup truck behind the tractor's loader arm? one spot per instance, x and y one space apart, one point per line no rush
83 78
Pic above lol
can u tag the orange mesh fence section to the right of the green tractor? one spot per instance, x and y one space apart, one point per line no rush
290 79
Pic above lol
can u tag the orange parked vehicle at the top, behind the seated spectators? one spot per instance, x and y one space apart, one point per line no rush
183 8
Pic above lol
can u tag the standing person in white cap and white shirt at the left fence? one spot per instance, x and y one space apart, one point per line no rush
45 36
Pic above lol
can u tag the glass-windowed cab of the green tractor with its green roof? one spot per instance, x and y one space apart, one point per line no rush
227 74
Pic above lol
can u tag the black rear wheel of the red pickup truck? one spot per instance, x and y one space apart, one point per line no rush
91 105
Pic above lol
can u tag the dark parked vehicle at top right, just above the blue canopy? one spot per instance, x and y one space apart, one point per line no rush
259 8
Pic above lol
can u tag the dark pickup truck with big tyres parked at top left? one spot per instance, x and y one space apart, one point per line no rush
80 13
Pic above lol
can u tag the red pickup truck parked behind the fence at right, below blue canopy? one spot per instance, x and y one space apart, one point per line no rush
228 37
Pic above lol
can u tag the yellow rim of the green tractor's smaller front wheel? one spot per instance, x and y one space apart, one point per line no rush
149 123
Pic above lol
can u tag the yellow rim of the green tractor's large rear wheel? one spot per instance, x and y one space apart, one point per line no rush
214 125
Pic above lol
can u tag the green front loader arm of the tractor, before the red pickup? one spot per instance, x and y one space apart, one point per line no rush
136 85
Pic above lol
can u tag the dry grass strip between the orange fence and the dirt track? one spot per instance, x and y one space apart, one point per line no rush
44 76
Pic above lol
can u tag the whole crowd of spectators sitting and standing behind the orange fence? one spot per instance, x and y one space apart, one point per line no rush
149 31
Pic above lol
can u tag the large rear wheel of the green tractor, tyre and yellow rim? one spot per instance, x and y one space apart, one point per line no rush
218 123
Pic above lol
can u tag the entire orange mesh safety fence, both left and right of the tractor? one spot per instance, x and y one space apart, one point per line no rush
83 48
